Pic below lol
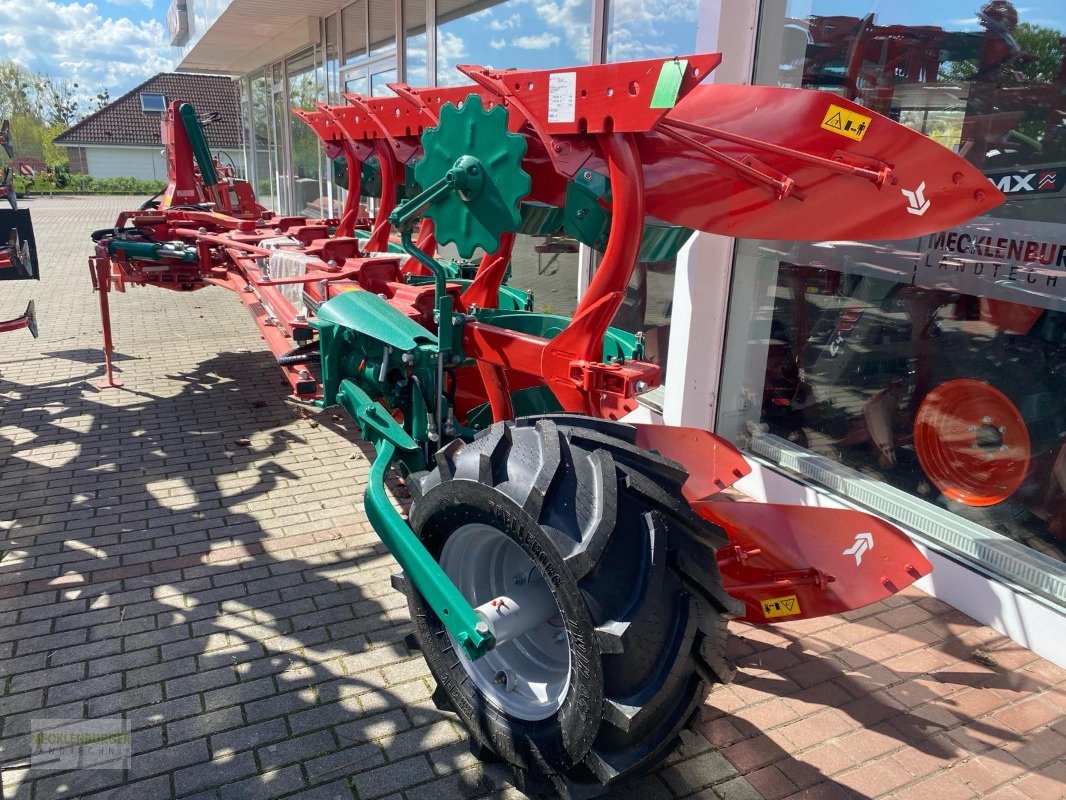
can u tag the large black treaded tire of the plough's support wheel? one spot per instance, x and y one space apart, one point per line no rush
633 570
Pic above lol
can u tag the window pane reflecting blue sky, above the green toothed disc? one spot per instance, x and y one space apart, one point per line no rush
514 34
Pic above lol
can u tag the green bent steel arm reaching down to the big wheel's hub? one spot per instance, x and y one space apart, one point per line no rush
426 575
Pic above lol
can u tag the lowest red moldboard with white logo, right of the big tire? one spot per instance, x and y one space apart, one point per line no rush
795 563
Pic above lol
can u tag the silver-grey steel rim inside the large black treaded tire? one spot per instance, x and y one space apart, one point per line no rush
483 563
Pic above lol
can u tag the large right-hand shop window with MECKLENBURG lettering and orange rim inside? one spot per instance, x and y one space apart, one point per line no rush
934 371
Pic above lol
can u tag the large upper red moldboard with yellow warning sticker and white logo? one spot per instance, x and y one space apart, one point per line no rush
929 187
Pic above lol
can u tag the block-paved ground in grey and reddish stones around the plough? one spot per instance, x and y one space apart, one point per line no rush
191 554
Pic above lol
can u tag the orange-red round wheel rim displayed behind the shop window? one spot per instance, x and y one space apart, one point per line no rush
973 443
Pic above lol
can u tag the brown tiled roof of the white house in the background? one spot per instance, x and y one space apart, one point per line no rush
123 122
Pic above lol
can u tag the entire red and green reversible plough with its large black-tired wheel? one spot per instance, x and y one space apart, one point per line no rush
570 575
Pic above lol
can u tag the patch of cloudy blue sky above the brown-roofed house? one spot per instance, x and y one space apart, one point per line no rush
76 42
